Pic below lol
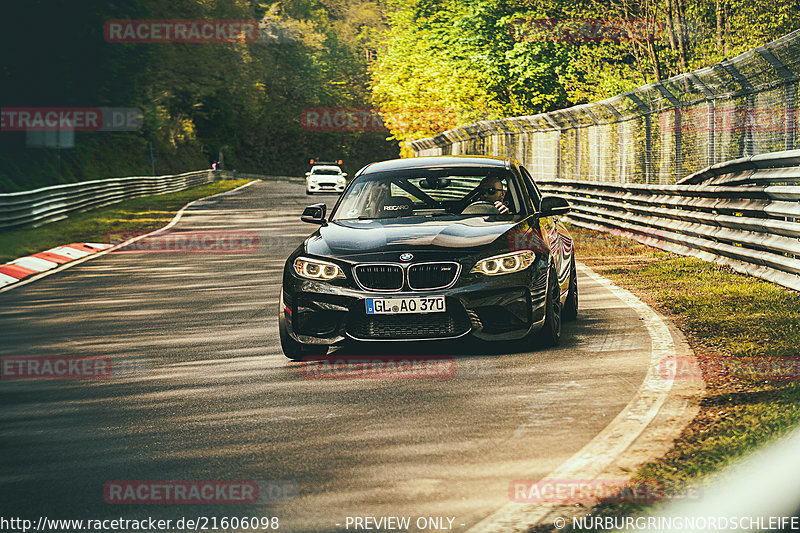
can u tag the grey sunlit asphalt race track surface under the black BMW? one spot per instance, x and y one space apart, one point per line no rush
199 390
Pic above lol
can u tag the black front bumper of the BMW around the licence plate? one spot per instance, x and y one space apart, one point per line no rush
321 313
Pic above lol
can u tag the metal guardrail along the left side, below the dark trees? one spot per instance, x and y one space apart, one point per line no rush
48 204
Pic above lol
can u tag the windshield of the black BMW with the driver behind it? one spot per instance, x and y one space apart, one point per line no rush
430 192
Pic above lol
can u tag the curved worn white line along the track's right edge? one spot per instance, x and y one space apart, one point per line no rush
599 454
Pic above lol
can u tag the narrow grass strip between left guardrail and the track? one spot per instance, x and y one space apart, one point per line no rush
136 215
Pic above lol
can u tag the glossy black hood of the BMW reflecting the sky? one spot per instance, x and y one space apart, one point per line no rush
352 237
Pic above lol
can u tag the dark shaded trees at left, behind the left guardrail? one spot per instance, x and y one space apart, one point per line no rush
241 99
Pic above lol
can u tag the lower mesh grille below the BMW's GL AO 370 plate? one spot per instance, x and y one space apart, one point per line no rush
408 326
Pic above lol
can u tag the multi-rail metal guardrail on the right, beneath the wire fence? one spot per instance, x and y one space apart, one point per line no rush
744 213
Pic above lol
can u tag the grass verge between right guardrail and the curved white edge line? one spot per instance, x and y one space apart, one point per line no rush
727 317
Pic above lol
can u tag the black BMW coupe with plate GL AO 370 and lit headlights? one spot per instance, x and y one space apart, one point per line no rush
431 248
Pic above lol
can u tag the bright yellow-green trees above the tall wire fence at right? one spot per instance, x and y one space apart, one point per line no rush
445 63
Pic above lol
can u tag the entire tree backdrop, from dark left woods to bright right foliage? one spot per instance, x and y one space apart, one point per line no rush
440 64
